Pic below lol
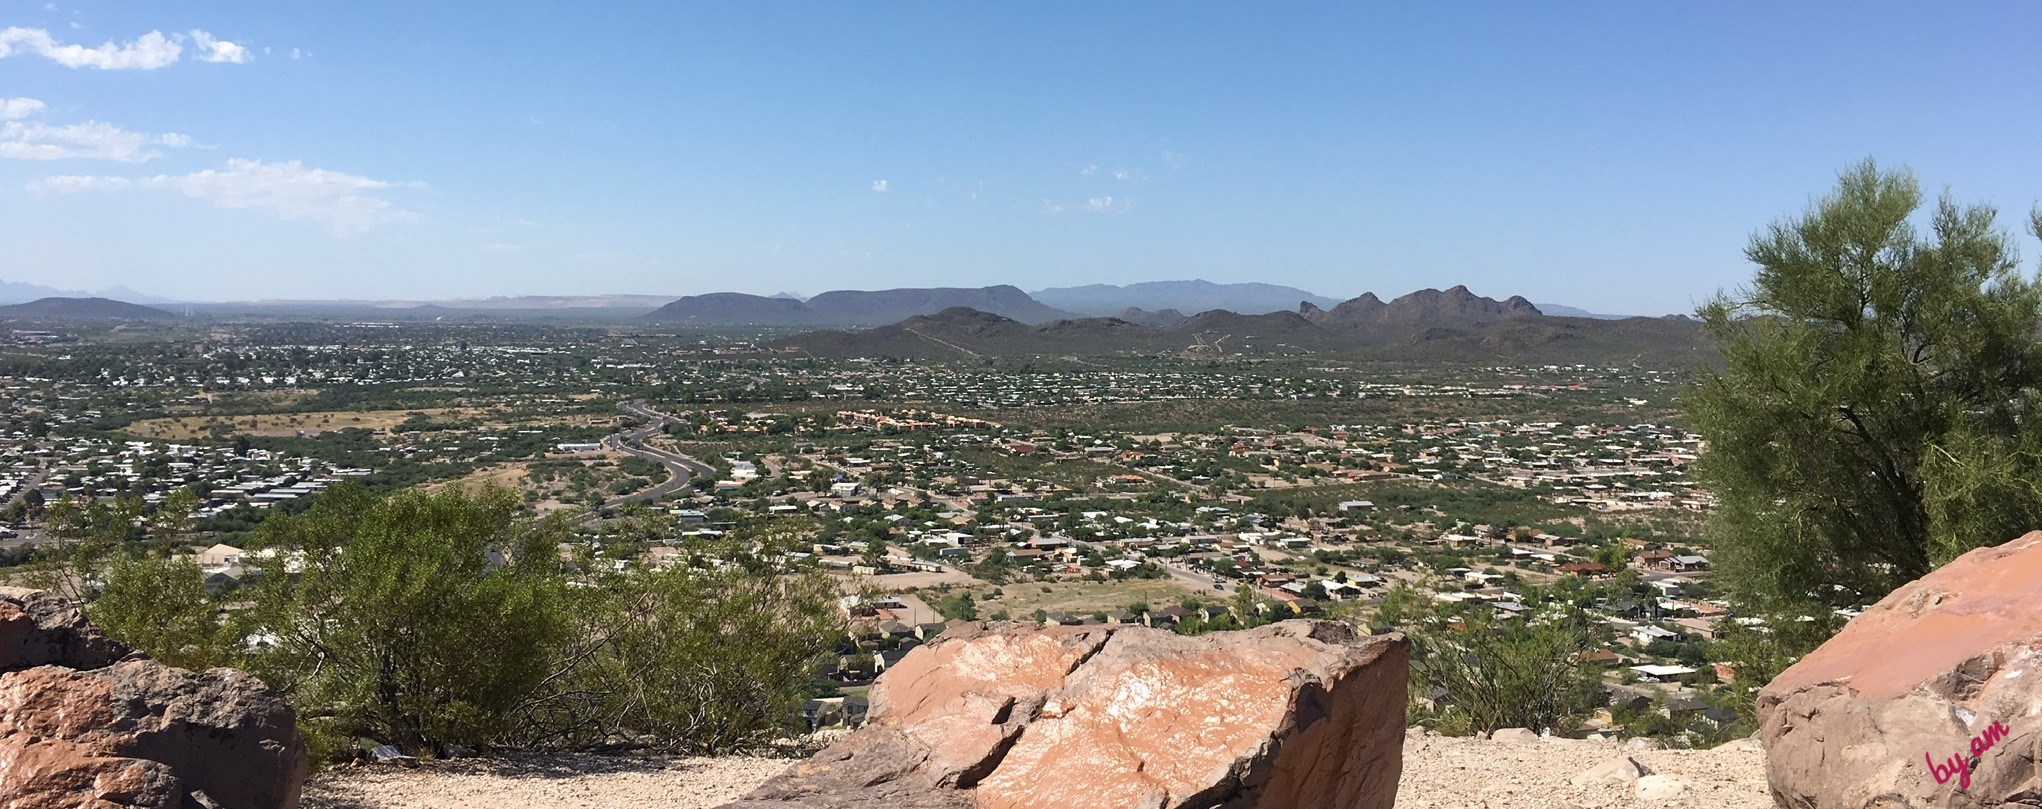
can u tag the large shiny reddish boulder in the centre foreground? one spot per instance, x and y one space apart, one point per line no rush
1292 716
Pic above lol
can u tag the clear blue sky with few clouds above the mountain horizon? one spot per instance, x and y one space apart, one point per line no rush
1612 156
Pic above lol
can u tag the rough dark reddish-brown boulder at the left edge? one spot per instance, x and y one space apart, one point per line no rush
89 724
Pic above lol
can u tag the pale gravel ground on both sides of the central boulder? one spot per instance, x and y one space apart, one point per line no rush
1441 773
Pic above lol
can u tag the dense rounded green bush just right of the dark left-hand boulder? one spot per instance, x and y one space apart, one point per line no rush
418 620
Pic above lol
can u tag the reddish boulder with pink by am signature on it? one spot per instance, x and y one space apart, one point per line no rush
1929 700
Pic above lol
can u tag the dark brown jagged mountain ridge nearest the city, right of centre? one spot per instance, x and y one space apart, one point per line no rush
1435 326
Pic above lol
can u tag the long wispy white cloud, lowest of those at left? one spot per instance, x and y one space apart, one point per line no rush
285 191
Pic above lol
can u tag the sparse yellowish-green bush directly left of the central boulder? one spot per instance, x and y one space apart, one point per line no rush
695 659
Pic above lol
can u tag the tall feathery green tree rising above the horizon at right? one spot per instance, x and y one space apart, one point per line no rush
1880 399
